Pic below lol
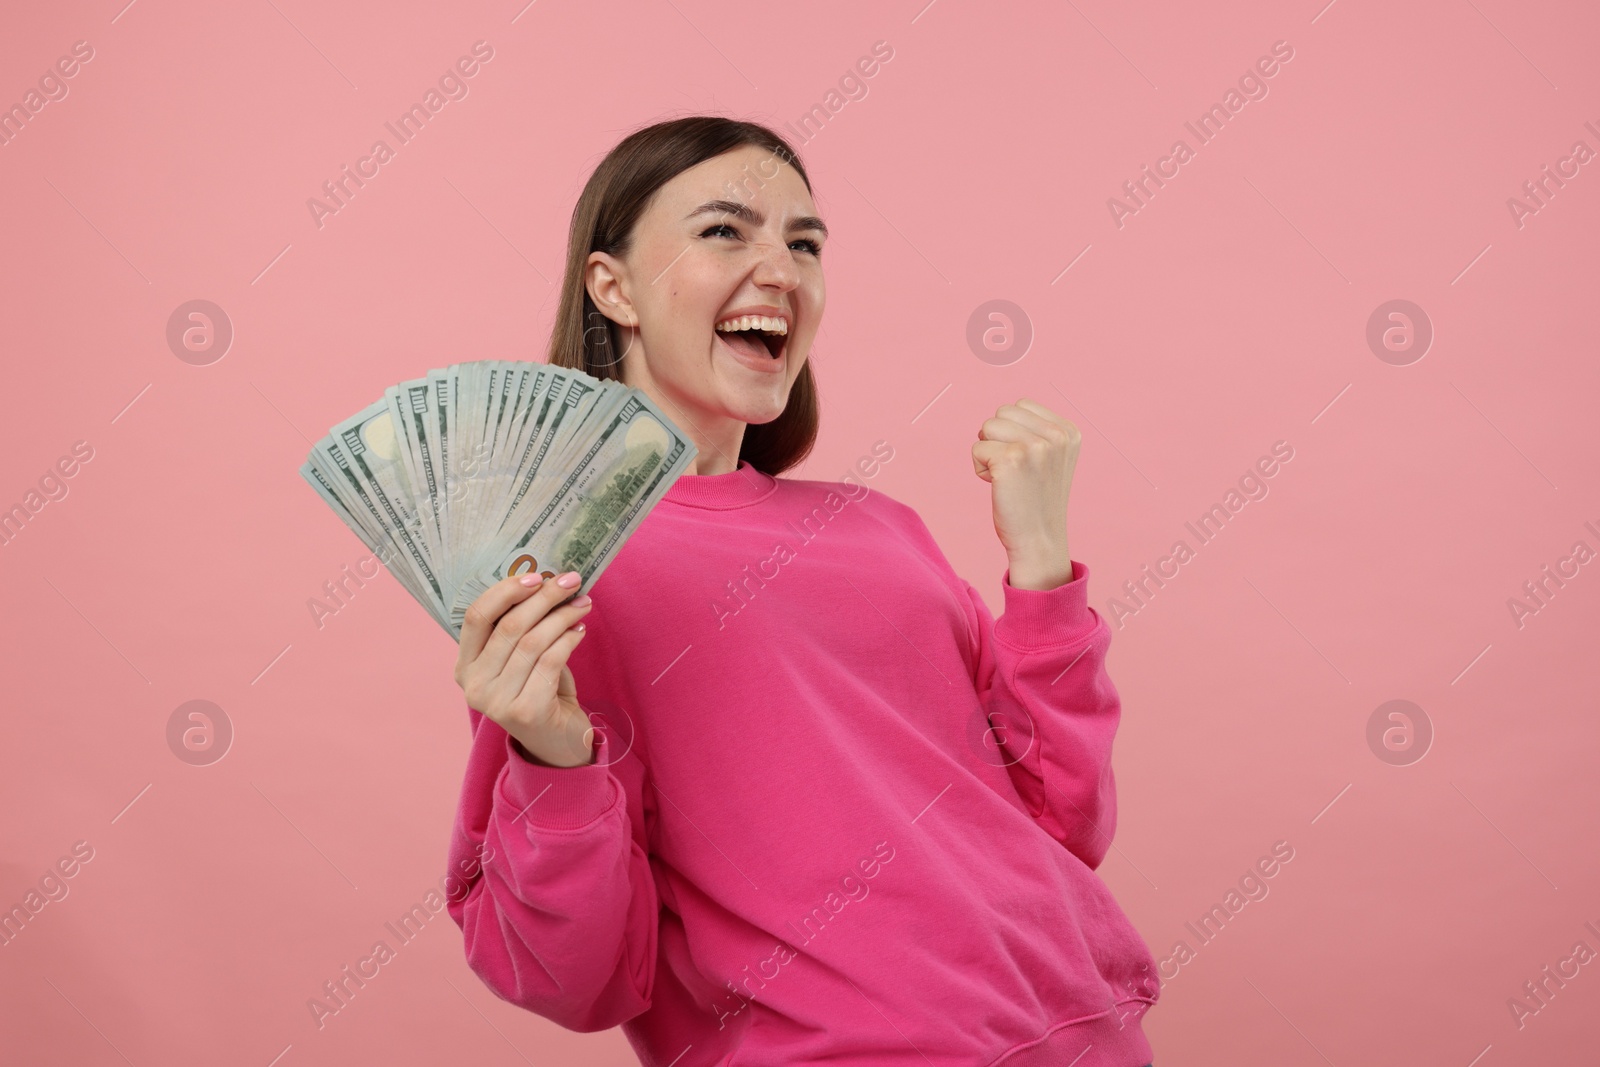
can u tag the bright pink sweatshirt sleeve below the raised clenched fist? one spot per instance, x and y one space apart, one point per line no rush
1054 711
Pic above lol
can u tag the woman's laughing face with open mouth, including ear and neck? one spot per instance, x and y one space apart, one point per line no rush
729 239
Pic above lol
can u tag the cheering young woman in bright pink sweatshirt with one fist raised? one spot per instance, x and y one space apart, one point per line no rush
783 791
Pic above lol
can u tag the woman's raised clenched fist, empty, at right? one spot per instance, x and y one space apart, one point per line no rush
1028 455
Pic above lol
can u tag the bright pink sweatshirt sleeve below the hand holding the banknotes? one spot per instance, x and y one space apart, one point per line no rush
554 895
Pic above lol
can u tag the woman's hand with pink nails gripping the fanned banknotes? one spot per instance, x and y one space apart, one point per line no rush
513 665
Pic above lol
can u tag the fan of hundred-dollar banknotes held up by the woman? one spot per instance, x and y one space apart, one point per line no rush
497 468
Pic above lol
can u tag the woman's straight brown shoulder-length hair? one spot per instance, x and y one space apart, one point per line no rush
604 220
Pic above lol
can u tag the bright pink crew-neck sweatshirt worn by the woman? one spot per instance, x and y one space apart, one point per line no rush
839 813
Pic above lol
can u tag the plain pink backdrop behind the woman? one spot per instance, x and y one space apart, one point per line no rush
1226 316
